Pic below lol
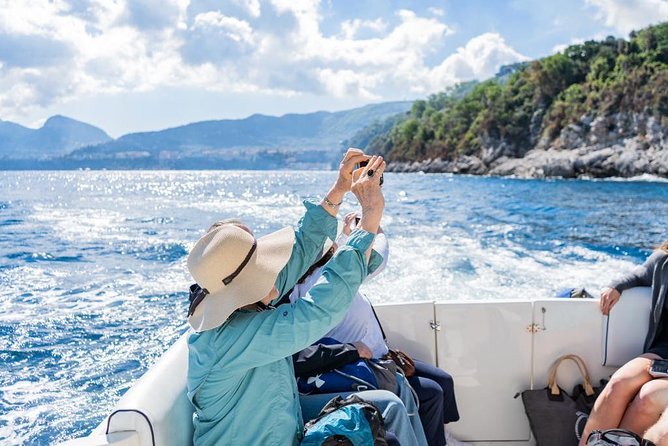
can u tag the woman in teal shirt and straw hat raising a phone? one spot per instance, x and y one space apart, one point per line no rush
240 376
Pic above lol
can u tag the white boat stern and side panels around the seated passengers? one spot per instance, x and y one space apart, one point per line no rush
495 349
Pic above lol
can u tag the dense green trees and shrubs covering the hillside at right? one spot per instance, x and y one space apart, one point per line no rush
531 107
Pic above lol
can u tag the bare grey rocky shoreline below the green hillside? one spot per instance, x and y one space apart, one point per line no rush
619 145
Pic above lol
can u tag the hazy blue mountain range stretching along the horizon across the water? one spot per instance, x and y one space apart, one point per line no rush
297 141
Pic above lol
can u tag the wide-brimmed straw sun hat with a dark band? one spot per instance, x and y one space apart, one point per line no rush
234 269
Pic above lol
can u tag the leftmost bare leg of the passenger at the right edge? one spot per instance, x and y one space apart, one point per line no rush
625 383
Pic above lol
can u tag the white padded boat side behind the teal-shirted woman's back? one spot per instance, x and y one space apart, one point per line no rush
157 406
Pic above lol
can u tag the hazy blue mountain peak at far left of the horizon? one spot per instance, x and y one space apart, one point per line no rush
58 136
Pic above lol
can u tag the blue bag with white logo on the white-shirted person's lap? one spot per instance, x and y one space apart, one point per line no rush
353 377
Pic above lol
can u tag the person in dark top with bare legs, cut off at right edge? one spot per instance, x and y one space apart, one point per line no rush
633 399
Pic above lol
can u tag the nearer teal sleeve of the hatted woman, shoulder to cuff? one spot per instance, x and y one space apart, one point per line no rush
252 339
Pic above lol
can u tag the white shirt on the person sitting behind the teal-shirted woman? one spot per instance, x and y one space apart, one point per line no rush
359 323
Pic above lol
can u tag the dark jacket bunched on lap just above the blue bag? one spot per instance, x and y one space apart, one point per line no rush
319 358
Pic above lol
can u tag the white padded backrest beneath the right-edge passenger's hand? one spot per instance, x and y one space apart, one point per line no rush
624 330
